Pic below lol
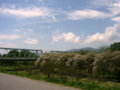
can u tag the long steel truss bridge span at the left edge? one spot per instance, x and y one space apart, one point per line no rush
16 54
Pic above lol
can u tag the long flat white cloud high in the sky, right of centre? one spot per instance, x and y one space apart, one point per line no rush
82 14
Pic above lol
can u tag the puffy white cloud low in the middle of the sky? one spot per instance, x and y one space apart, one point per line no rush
68 37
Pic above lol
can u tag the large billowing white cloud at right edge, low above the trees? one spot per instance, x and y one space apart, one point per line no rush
110 35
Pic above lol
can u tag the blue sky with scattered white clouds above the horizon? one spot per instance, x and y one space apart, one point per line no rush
59 24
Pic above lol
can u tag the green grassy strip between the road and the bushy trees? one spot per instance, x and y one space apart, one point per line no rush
29 71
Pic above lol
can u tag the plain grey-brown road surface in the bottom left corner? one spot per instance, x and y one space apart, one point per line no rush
11 82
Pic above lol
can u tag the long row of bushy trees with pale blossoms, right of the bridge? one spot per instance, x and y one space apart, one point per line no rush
106 64
